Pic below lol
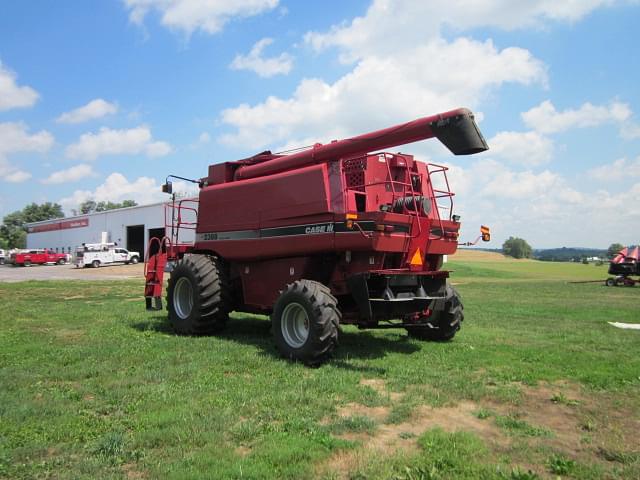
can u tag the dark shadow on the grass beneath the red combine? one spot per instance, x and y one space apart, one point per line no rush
255 331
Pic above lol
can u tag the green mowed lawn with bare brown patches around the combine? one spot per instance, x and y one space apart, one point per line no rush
537 384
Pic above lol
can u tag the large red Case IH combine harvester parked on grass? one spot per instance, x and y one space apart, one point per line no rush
326 236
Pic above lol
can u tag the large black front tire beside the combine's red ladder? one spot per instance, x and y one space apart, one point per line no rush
198 295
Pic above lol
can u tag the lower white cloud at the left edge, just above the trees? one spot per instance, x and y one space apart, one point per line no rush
15 138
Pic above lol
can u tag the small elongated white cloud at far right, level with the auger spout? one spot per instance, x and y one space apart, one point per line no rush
546 119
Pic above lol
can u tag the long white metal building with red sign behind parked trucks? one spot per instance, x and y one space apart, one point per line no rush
130 228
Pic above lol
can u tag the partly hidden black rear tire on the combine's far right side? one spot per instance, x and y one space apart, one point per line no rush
442 324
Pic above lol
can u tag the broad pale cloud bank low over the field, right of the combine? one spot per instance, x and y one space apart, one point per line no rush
544 207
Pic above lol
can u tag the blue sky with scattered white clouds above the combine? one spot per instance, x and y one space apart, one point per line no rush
103 99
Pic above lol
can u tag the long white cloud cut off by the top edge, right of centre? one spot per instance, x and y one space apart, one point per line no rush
376 33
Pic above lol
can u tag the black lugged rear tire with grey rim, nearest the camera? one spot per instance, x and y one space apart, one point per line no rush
305 322
